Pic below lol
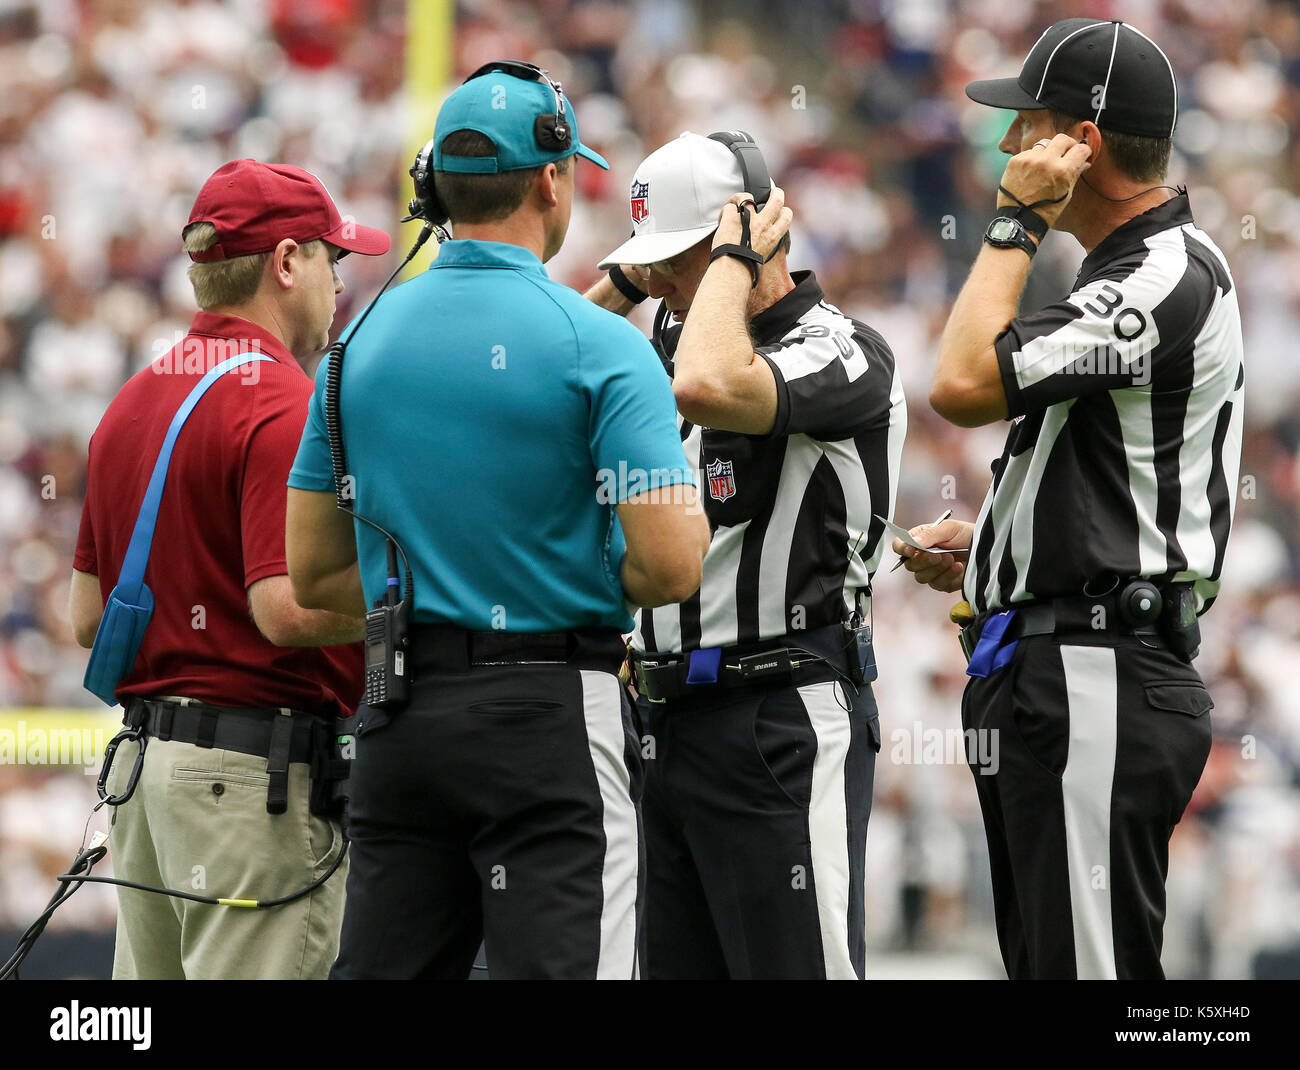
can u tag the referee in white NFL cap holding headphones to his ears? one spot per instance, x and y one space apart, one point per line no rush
761 731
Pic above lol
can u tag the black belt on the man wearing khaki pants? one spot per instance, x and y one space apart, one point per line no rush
280 737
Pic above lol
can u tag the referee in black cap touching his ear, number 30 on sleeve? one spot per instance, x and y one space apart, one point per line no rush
1103 535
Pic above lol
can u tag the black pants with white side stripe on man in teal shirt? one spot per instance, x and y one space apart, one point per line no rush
500 807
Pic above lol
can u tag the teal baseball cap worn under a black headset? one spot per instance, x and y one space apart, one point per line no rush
522 110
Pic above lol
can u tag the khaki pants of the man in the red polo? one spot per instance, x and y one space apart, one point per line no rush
198 822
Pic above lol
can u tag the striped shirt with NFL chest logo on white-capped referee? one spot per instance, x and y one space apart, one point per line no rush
794 536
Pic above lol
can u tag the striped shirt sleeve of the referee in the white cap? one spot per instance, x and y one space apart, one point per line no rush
831 383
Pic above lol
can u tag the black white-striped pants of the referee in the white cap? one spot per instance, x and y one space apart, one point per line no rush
756 816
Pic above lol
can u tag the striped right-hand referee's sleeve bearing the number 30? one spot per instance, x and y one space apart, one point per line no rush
1115 333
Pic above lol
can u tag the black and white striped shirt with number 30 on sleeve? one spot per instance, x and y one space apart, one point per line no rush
1124 452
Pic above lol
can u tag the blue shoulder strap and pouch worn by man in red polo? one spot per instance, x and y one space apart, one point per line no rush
131 605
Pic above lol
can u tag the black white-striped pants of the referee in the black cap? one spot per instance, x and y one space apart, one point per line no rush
1097 747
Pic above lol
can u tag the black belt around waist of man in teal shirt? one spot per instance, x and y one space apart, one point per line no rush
444 648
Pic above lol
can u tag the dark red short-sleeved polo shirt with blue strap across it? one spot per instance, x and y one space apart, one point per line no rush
220 527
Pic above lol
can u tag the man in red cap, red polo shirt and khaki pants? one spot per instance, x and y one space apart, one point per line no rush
236 687
